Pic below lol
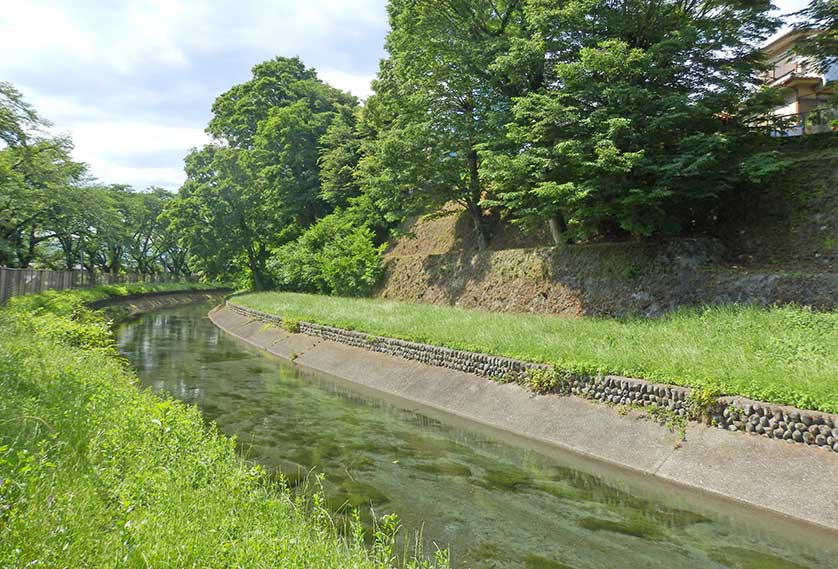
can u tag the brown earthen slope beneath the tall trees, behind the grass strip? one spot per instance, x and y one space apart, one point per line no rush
778 245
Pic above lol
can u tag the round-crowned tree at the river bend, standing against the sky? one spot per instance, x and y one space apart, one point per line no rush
258 185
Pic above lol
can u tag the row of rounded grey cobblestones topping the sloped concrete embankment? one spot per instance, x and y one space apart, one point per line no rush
731 413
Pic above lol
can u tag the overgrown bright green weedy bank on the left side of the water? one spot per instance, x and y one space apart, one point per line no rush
95 472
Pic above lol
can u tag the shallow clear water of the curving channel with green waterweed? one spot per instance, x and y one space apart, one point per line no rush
494 501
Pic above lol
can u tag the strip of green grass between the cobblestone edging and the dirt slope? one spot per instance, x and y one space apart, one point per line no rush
783 355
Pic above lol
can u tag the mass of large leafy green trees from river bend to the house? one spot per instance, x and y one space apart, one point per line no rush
597 118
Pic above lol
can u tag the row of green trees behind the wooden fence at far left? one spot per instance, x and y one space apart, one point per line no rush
55 216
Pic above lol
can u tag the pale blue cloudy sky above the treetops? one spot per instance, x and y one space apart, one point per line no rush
132 82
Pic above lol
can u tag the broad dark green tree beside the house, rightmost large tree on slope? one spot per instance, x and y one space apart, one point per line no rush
626 137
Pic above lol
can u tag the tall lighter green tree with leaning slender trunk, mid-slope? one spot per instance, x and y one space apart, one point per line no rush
438 106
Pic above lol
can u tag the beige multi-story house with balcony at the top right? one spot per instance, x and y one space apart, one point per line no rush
808 90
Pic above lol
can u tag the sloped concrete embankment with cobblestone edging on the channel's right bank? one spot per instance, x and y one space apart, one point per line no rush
796 480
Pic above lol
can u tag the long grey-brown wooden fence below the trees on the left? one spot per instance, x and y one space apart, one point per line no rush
16 282
